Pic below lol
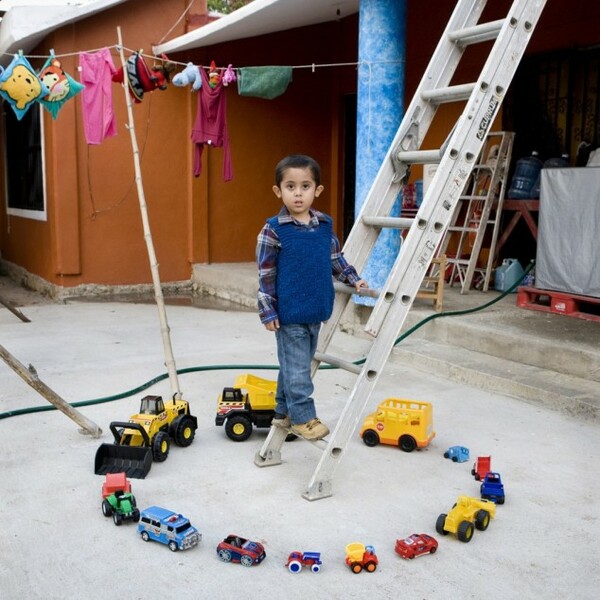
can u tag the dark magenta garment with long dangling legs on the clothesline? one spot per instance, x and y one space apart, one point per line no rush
210 126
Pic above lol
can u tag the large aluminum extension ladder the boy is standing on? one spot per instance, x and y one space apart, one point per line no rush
456 159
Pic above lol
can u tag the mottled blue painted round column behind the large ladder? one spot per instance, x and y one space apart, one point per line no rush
380 106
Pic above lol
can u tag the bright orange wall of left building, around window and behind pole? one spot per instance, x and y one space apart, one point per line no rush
94 231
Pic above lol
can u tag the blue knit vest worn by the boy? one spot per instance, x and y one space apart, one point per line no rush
304 277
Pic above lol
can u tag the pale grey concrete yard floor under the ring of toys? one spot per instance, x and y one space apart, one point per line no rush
55 542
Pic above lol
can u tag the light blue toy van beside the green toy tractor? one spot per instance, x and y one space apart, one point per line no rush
165 526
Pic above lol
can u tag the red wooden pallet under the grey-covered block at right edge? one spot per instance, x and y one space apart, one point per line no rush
560 303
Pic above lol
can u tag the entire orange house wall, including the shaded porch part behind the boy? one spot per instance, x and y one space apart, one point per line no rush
94 231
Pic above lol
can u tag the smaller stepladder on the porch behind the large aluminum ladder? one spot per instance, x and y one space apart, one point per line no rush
478 213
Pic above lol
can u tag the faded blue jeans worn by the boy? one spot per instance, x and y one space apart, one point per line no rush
296 346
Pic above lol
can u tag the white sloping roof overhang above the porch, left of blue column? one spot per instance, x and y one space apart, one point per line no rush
261 17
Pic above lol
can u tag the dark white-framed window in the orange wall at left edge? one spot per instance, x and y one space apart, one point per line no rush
24 163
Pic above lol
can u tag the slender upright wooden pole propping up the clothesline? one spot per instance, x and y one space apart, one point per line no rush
160 303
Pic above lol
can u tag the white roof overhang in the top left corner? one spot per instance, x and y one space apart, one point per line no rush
24 27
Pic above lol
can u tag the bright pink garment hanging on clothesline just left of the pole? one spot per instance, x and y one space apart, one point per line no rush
97 69
